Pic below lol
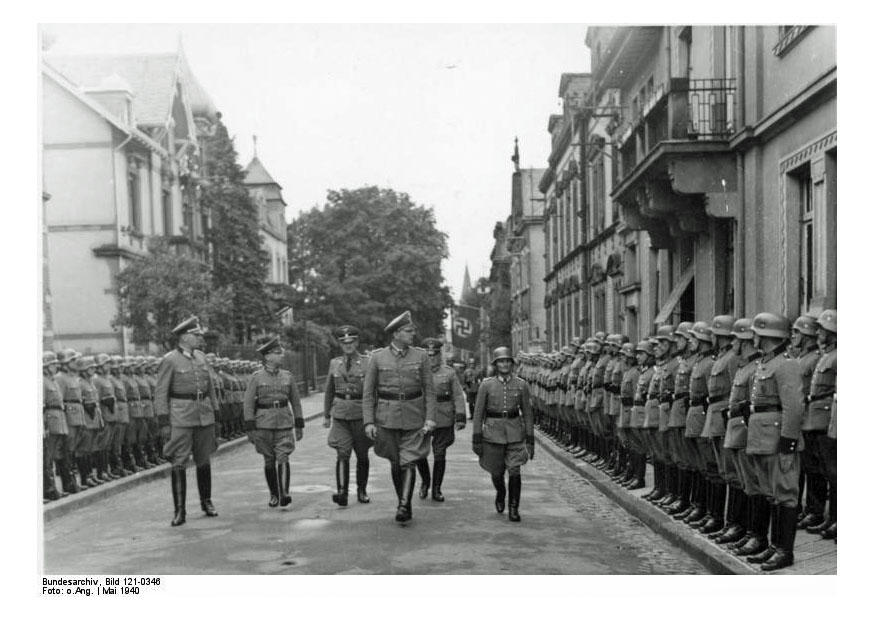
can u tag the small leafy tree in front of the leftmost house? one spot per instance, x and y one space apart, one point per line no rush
160 290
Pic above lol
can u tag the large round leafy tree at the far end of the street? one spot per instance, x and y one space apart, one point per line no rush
365 257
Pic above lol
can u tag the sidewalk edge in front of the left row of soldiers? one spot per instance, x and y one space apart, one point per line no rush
311 406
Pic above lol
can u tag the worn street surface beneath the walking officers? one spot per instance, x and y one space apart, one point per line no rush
568 527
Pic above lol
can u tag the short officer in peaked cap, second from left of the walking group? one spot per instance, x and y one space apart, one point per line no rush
271 409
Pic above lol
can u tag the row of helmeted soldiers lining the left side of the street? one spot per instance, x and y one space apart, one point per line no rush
99 421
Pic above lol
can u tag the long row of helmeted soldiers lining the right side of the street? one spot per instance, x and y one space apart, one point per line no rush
736 416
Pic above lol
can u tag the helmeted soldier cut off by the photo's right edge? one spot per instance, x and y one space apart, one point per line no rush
819 419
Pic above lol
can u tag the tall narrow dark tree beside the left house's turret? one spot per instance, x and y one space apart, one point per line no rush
240 265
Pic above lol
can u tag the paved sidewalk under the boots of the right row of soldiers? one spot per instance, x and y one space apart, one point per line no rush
813 555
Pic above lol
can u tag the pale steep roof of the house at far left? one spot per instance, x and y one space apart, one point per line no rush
152 78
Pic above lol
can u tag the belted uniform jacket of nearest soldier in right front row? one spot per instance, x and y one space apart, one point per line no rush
776 403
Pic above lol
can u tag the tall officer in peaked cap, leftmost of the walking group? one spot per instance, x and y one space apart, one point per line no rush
185 396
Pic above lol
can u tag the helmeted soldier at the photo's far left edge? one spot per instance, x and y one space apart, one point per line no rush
54 432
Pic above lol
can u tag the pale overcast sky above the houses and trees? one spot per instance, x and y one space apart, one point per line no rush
429 109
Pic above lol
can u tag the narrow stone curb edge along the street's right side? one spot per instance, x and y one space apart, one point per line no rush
699 547
